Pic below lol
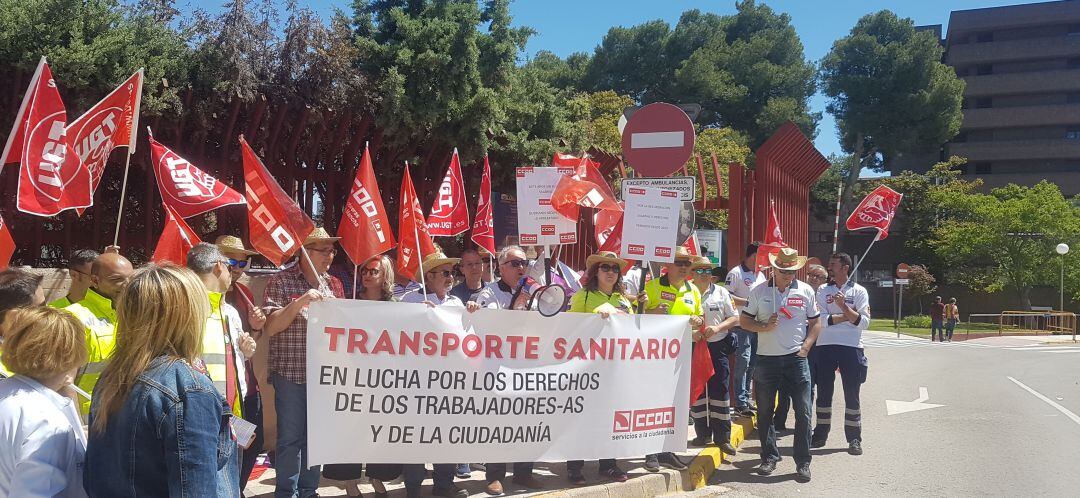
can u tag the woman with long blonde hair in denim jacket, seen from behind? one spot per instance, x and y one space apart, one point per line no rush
155 401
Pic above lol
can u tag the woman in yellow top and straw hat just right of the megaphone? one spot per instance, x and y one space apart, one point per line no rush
602 293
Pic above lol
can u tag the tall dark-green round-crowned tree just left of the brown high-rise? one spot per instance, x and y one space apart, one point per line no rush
890 92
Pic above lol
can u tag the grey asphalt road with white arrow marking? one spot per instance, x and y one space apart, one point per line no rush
992 437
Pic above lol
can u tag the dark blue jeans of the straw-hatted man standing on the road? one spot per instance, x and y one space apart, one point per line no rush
791 374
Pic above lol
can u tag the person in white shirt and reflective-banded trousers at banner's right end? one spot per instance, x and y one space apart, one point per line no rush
711 412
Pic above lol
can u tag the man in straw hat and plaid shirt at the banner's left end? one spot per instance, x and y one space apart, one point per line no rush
288 297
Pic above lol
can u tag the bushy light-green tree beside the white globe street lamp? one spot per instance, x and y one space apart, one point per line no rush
1005 240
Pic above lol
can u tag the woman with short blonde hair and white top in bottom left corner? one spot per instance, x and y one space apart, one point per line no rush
43 446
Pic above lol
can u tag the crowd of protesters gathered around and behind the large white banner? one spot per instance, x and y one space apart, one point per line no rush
166 355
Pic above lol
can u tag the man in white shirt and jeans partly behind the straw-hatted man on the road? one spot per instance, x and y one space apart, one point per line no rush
741 280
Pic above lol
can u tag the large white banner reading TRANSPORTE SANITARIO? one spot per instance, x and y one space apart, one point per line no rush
492 386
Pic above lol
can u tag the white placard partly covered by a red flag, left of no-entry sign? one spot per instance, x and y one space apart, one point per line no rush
538 223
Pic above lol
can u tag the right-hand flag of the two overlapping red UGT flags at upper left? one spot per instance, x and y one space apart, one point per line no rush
111 124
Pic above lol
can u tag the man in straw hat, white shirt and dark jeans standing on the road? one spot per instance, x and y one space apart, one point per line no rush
785 316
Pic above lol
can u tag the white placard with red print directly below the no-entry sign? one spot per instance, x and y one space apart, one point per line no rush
651 224
